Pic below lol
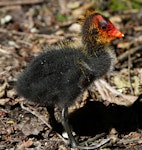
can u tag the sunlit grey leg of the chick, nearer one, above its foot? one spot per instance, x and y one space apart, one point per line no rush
67 127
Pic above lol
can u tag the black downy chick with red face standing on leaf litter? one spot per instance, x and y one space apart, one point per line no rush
59 75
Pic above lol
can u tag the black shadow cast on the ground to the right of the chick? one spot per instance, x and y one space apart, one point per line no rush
95 117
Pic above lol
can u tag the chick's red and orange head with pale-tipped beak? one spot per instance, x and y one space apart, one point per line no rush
97 28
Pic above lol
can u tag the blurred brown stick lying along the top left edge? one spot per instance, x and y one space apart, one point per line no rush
23 2
